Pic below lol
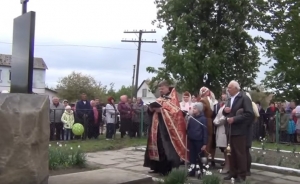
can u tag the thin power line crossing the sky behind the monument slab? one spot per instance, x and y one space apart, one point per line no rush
91 46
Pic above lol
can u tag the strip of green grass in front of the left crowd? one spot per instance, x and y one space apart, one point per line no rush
101 144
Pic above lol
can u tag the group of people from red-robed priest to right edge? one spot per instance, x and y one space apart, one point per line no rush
194 128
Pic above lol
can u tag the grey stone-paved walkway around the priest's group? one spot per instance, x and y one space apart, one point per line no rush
131 159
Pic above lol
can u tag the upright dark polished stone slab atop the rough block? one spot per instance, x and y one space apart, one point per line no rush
23 52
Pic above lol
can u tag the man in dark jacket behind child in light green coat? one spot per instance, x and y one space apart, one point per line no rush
85 114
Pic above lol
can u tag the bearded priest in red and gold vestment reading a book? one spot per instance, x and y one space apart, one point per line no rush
166 145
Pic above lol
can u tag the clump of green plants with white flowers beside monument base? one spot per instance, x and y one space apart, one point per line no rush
61 157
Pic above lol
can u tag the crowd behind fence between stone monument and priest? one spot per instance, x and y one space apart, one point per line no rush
93 115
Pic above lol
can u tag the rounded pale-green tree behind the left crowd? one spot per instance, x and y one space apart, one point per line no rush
71 86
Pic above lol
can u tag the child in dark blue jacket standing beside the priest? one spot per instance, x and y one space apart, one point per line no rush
197 134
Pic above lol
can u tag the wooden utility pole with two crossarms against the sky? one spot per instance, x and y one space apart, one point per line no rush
139 41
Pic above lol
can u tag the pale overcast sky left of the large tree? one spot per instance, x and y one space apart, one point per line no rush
84 24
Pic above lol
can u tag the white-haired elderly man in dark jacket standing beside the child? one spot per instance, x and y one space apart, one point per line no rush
238 125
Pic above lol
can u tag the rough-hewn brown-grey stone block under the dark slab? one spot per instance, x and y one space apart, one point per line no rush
24 138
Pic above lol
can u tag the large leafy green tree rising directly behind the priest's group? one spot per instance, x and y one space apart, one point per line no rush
207 44
